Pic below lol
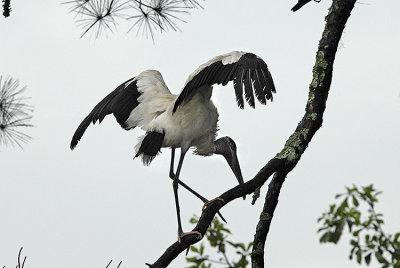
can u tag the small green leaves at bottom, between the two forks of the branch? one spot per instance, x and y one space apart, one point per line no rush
217 236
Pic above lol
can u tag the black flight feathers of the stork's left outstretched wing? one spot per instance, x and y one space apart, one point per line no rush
120 102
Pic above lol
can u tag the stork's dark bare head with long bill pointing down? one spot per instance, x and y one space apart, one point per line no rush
226 147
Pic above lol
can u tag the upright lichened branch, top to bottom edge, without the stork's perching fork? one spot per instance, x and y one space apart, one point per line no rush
312 120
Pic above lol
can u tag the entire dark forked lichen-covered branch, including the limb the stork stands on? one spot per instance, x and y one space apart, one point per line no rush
288 158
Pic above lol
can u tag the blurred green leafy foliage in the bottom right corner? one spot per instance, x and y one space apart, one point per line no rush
368 238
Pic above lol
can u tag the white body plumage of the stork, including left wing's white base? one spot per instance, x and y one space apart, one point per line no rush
193 125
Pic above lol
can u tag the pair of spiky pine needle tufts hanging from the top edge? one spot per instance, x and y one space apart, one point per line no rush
148 16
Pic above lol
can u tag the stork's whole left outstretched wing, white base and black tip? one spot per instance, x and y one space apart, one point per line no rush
133 103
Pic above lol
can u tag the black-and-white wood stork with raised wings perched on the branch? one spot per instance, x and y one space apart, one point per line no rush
188 119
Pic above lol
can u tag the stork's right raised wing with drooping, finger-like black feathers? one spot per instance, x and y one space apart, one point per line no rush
248 72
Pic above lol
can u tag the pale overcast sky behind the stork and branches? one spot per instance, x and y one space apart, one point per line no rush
83 208
